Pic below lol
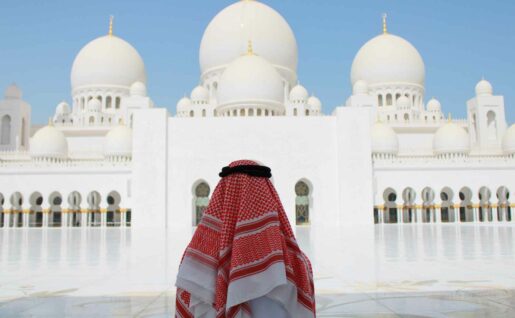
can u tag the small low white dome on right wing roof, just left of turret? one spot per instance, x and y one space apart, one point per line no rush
451 139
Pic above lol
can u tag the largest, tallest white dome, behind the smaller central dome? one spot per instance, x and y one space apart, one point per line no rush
227 35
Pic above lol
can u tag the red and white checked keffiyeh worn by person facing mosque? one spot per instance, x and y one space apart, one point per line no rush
243 249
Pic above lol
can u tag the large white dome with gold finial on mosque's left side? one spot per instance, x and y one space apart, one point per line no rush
107 61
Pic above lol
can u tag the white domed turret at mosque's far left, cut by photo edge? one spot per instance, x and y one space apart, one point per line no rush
14 120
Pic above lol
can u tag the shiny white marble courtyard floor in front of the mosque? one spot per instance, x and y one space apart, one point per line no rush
421 270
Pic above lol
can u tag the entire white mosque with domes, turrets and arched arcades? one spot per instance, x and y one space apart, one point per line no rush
111 157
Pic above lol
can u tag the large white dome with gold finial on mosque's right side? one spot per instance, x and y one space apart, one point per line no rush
388 58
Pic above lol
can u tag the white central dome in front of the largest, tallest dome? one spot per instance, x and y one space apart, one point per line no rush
250 78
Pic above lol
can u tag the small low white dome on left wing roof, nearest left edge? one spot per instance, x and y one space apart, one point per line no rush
49 142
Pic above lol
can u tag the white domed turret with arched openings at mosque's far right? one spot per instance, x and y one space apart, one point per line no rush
486 119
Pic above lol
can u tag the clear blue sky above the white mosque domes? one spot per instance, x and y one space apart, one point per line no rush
460 42
